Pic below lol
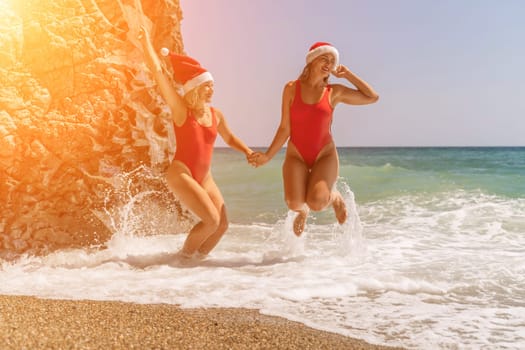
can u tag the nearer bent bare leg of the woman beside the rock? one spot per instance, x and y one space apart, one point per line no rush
198 201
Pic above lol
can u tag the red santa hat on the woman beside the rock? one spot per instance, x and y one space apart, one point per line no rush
187 71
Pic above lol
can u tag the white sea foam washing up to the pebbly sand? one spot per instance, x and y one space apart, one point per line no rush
419 271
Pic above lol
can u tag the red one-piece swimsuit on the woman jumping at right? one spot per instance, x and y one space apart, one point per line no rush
310 125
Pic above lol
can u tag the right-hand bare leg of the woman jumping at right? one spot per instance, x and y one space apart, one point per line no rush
321 187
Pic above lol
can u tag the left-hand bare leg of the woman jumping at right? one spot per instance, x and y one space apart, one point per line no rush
295 180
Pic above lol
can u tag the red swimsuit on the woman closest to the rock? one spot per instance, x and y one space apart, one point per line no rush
195 145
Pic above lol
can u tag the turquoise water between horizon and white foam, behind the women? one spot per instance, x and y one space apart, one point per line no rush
376 174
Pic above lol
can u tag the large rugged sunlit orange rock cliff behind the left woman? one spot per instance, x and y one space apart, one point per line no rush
82 129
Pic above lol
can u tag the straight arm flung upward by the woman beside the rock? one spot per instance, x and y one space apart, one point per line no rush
168 91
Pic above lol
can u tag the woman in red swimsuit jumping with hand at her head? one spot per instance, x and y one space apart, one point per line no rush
311 164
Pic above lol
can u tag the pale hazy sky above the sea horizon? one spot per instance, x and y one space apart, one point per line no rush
449 73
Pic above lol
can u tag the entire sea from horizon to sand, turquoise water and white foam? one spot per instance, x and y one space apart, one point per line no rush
432 255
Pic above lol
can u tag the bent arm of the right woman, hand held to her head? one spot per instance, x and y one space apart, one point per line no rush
364 94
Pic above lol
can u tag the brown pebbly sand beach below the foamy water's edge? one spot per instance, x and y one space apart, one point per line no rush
32 323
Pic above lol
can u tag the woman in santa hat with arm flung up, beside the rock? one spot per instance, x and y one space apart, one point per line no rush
196 126
